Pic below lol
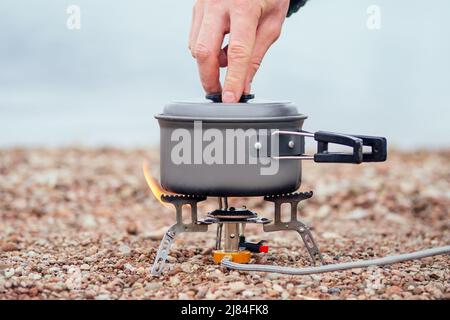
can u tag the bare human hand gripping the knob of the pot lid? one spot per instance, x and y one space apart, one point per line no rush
253 25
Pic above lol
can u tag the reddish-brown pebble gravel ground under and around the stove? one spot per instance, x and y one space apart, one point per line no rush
81 224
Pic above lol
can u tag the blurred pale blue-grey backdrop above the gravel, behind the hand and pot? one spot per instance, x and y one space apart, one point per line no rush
102 84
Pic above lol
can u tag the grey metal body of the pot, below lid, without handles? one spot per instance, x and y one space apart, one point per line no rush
242 162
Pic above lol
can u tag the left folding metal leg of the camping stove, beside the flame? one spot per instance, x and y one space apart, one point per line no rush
178 201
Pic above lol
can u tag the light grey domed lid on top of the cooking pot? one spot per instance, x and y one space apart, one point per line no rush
253 110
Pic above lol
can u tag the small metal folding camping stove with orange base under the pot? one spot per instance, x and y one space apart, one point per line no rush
230 221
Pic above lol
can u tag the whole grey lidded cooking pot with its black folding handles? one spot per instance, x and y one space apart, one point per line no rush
251 148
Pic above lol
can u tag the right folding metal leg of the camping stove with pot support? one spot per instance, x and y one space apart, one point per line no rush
294 224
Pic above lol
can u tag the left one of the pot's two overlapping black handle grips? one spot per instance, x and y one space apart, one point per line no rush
323 155
